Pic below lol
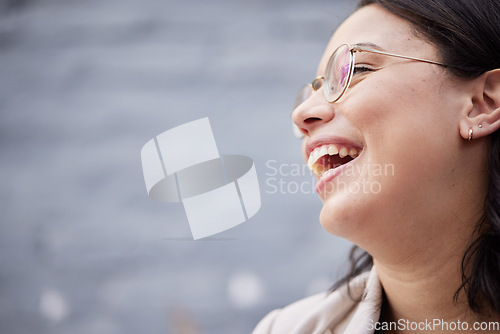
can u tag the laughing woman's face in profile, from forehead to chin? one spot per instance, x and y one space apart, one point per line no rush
402 117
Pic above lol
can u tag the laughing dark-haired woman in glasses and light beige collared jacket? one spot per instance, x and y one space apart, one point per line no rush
414 85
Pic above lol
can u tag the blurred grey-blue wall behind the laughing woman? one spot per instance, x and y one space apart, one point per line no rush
83 86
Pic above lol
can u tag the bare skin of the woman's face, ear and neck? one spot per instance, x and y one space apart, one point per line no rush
415 117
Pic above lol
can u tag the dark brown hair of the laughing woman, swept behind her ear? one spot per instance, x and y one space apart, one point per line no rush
467 36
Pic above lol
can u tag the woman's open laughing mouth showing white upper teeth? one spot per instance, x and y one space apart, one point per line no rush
330 156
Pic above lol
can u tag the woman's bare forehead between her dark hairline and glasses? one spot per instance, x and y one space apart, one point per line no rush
374 24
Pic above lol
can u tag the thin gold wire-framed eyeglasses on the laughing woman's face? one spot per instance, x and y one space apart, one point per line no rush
338 75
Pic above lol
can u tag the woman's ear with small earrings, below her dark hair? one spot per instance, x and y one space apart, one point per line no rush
484 116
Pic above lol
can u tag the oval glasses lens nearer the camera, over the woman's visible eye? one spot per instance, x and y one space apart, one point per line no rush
337 73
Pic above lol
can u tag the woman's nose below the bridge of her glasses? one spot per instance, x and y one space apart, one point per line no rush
312 113
